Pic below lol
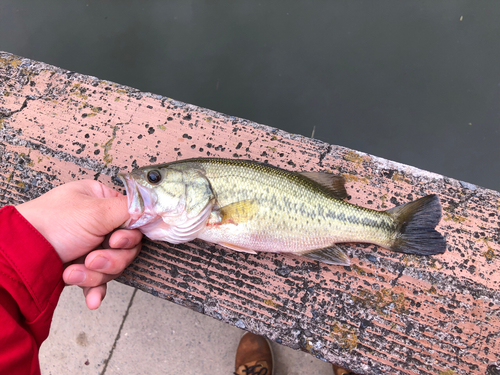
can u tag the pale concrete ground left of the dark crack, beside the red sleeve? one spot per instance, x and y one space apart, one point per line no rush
80 340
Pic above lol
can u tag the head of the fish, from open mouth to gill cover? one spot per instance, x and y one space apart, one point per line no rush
168 202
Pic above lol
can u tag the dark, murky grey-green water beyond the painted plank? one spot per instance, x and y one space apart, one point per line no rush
412 81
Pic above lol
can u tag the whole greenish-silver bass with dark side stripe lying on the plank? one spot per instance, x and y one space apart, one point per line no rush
251 207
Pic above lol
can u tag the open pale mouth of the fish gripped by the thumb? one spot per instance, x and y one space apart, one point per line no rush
139 201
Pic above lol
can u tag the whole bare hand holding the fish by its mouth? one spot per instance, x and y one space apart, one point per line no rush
77 219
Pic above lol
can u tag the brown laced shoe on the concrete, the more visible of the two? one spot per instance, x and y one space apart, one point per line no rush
253 356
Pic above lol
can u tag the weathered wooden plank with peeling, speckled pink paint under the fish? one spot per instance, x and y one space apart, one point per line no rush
387 313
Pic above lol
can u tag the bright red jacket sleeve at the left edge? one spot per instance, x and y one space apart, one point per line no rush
30 286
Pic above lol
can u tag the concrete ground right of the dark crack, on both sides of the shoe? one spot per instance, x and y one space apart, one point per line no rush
159 337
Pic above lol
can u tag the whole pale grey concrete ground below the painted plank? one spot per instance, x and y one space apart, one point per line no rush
142 334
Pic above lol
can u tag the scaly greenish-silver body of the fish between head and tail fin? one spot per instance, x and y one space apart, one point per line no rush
279 226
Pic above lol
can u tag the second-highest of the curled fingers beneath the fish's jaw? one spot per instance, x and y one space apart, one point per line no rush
111 261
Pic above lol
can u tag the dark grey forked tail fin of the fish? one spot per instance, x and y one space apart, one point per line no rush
415 222
